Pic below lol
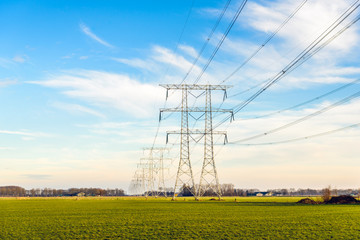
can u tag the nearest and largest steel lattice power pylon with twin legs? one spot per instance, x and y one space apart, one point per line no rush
209 175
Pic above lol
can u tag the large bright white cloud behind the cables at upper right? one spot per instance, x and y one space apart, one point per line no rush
327 66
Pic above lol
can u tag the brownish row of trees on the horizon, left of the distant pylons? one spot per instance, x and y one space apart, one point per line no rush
16 191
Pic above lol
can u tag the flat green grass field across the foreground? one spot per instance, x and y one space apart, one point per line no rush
137 218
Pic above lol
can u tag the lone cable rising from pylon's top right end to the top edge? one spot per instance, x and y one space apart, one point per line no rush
265 42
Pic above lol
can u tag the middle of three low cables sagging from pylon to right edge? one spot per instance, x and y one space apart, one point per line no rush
344 100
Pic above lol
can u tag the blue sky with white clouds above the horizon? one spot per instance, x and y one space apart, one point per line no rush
80 94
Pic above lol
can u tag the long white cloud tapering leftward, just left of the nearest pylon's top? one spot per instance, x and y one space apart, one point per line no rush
108 89
